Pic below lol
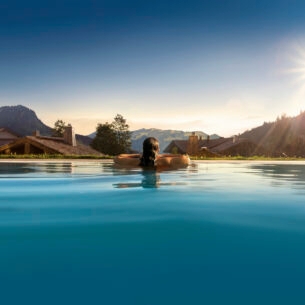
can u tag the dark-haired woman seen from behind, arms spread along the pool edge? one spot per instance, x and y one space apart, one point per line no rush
151 157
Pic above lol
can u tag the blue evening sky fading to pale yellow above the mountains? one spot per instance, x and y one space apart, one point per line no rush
219 66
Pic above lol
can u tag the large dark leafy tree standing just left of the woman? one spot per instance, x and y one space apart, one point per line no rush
114 138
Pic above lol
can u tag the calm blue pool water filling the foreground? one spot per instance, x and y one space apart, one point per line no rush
213 233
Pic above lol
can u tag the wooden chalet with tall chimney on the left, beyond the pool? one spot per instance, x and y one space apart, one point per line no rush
37 144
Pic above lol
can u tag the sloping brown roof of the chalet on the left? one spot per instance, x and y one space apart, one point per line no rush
52 145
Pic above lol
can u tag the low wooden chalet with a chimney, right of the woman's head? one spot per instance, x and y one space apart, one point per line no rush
196 146
